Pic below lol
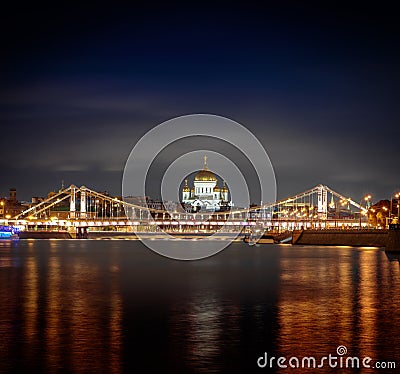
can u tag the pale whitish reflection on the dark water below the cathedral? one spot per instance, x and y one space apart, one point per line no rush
203 332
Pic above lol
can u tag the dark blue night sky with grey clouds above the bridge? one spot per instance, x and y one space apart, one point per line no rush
317 84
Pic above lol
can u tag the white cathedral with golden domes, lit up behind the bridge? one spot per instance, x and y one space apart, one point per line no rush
205 194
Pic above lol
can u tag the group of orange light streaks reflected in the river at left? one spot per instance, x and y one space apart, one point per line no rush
64 312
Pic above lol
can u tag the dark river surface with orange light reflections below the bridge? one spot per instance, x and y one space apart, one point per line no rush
115 306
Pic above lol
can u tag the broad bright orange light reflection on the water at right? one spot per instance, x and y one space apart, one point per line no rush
333 298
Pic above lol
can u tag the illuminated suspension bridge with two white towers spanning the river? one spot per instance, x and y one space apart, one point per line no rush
76 208
